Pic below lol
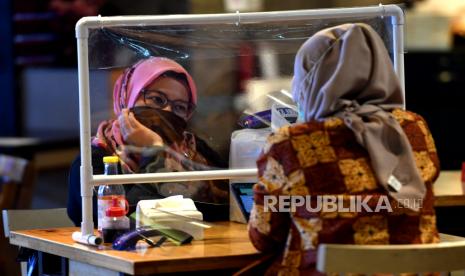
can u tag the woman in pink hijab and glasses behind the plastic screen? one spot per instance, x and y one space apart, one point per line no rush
152 102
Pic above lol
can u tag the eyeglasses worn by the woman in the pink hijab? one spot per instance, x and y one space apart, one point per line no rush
159 100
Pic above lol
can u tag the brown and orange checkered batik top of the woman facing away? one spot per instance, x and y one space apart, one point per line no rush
324 158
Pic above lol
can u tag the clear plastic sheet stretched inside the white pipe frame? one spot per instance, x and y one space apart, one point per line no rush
239 69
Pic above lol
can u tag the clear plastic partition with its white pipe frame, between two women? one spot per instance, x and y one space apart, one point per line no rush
236 60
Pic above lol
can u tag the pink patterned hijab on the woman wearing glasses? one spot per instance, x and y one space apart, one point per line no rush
127 89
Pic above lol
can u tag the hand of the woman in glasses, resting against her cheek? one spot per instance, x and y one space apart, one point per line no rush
135 133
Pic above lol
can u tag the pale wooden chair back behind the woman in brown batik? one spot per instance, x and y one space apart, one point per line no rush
448 255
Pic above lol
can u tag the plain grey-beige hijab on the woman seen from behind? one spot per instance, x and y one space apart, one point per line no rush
345 71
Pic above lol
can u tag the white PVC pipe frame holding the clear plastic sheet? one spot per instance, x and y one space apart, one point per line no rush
88 180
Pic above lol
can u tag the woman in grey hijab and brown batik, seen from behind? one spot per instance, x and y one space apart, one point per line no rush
353 139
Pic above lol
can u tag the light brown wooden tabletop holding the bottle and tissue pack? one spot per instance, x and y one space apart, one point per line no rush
226 245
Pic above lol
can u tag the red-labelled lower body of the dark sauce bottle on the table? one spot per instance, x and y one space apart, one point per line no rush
115 223
